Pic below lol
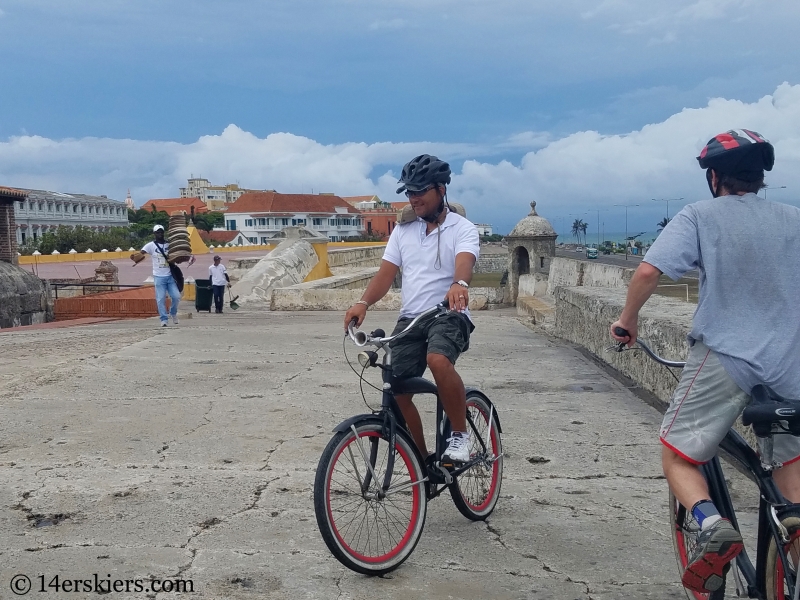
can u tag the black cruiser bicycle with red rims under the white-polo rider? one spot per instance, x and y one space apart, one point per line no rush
372 484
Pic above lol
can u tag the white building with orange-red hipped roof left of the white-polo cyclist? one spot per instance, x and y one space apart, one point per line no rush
261 215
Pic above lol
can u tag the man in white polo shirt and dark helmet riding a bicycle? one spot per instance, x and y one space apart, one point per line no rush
437 252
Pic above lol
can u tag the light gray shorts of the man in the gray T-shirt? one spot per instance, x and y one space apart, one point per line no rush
705 406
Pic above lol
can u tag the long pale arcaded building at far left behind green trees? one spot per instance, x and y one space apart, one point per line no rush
43 211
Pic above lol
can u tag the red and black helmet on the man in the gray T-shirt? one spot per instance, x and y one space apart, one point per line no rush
739 153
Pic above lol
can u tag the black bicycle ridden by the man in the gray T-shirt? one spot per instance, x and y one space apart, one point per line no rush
775 575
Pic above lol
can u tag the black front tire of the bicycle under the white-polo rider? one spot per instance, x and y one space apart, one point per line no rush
320 501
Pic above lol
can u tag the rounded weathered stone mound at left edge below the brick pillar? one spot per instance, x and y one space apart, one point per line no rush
24 298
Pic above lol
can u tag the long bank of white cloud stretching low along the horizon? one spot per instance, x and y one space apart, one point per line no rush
582 171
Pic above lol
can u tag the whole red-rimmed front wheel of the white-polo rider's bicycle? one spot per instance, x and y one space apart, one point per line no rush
369 530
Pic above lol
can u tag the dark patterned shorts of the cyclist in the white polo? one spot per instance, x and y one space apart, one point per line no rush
446 334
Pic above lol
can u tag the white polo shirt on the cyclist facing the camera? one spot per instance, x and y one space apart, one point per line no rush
425 285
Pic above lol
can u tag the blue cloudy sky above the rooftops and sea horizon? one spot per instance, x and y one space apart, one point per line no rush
580 105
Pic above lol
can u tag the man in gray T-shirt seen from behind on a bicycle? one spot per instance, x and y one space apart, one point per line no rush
745 331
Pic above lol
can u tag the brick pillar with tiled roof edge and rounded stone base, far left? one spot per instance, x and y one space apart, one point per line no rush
24 298
